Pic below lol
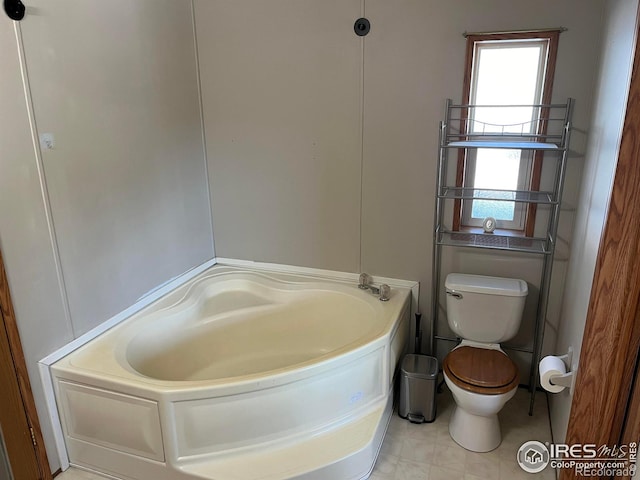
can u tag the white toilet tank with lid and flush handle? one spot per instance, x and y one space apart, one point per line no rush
484 309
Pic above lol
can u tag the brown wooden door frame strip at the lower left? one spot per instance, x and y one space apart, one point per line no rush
20 366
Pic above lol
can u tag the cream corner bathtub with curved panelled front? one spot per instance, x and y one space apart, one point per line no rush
238 375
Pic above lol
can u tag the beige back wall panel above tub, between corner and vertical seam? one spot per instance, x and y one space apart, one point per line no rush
282 100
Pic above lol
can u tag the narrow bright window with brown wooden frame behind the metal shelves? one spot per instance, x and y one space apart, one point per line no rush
514 70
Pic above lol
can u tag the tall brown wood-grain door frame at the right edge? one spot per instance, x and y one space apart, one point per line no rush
606 404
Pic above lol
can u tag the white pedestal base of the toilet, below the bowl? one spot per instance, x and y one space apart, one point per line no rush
474 432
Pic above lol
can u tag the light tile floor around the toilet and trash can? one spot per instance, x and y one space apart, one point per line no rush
427 452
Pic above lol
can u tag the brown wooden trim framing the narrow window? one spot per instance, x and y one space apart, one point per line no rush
553 36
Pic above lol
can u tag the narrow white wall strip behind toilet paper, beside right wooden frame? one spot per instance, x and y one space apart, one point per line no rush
612 88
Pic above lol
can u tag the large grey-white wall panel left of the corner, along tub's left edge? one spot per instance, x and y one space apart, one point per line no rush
116 84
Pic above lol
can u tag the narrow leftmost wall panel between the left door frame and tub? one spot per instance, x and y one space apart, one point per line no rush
24 234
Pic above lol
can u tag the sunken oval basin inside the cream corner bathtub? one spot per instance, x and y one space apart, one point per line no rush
203 340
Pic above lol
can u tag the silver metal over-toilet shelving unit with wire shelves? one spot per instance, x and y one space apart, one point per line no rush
547 130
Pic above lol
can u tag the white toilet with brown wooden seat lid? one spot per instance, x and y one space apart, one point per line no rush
483 311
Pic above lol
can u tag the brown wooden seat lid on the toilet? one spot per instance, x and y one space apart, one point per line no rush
481 370
